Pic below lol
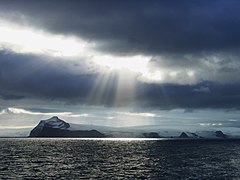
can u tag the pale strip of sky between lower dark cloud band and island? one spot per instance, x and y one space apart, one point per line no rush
121 117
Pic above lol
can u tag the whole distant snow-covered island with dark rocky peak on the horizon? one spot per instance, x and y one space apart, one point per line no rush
55 127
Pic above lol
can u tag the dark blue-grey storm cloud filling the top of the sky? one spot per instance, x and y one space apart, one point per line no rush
148 27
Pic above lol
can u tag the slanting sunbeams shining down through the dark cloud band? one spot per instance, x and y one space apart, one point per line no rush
114 89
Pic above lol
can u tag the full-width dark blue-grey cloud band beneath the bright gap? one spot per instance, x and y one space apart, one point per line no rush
48 80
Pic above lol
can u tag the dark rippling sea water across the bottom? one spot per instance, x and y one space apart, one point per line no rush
114 159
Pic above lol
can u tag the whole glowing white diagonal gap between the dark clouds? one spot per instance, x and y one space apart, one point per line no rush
29 40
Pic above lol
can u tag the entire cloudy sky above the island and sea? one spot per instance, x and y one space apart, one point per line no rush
120 63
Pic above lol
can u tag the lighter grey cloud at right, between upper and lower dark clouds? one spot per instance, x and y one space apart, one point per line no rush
220 67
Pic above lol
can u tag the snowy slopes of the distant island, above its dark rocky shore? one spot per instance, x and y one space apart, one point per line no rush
132 132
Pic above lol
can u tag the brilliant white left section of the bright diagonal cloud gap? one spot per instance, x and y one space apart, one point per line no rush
28 40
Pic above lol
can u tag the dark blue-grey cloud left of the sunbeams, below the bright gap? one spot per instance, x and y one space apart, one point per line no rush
39 76
